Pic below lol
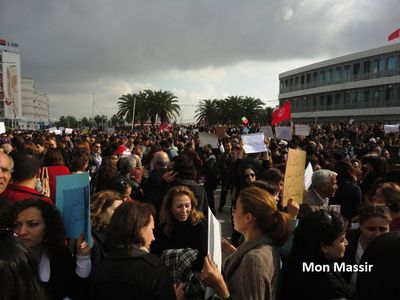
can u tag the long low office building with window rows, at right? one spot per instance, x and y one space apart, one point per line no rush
362 86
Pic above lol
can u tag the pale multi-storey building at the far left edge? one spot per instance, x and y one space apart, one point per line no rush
21 104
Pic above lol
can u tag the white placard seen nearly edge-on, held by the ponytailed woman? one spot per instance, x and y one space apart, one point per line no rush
214 247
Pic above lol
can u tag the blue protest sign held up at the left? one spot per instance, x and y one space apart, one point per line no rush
73 201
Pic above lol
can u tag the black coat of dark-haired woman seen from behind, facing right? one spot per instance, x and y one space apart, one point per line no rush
131 274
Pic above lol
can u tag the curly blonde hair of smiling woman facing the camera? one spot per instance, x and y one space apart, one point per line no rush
167 218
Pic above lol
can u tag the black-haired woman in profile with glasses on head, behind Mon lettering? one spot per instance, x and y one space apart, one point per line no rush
311 273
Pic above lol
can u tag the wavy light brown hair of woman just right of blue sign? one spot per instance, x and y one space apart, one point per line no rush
99 204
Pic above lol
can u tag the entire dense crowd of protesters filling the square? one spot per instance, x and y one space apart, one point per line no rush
151 194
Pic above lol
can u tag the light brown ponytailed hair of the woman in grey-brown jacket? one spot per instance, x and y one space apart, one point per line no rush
269 219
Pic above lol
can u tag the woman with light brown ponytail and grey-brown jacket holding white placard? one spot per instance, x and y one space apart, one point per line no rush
253 270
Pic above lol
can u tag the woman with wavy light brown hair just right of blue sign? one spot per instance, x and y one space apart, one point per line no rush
102 208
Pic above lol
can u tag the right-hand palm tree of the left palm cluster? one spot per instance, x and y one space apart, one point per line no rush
162 105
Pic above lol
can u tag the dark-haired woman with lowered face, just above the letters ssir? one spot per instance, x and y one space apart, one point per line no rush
374 221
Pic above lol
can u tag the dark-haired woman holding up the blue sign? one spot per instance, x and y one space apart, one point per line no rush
38 225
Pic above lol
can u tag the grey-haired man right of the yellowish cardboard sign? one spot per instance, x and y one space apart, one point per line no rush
324 186
